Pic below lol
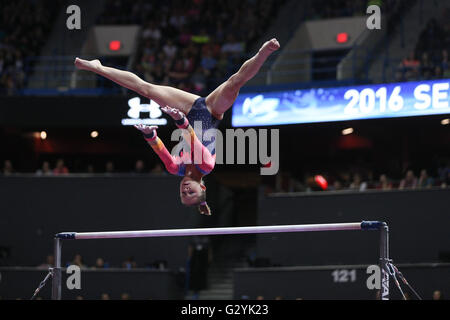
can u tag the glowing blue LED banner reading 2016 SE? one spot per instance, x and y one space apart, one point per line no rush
342 103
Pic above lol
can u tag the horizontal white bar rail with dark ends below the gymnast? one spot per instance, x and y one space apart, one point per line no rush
365 225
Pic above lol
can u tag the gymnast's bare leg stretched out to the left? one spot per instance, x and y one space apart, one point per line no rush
162 95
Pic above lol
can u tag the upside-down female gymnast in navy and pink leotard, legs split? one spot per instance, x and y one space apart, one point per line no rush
186 108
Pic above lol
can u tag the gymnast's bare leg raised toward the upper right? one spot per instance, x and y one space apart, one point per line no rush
221 99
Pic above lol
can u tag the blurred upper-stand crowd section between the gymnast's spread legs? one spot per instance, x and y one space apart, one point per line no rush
192 45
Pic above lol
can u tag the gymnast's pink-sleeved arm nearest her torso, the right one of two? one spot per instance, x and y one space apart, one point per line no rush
208 161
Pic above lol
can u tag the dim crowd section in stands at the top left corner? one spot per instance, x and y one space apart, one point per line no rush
24 27
